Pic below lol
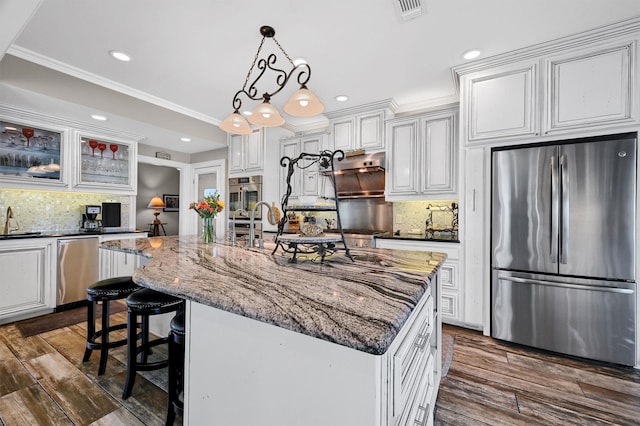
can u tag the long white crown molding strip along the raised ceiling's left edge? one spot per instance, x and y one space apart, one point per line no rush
53 64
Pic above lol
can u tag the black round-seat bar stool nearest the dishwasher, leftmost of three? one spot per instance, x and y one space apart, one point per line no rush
105 291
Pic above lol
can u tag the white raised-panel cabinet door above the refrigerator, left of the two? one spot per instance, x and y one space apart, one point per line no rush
501 102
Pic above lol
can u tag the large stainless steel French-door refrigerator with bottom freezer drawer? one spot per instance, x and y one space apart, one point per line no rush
563 247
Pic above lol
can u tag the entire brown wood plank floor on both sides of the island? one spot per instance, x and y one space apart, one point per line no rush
44 382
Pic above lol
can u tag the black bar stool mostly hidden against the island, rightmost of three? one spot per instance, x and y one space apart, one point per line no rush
176 367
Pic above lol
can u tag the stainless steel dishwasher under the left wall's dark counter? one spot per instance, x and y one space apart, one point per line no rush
78 268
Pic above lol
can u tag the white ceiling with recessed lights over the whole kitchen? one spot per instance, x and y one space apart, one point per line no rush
189 58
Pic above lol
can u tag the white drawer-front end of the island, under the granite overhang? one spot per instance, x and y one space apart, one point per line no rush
409 362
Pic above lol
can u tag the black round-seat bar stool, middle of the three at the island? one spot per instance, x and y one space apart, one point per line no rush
142 304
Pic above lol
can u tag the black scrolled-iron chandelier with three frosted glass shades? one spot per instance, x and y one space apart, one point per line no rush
303 102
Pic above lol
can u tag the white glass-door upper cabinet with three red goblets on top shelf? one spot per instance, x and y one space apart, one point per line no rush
105 163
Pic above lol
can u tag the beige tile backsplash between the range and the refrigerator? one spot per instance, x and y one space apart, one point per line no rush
410 216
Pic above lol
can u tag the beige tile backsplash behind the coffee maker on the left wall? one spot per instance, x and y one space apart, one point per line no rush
50 211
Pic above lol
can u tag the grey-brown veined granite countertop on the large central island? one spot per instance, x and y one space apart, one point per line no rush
361 304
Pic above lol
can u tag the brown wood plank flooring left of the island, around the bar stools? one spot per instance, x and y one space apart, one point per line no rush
44 382
